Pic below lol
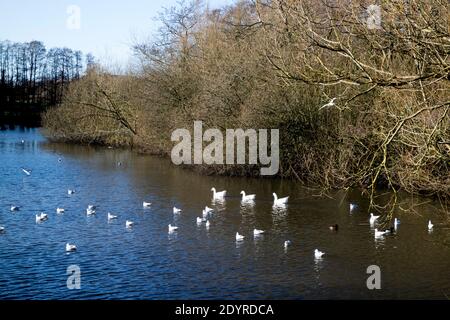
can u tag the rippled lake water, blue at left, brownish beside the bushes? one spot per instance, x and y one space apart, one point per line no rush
146 262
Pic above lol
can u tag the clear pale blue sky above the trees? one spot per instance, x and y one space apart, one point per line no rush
107 27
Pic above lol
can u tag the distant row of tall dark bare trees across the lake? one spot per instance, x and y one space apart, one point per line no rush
32 77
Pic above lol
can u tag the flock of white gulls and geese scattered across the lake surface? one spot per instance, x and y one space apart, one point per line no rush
207 211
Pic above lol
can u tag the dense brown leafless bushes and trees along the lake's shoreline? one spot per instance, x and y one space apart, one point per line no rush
358 102
